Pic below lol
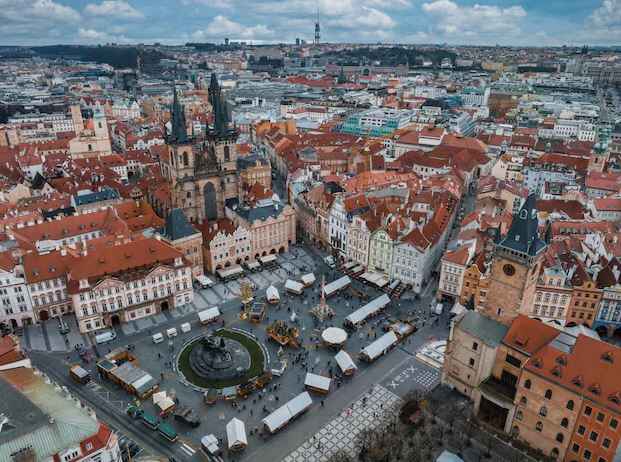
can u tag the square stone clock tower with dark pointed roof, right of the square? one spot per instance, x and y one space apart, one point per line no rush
516 264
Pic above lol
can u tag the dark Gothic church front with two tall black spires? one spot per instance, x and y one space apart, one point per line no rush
202 173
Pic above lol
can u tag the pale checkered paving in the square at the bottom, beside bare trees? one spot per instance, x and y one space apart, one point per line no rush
341 432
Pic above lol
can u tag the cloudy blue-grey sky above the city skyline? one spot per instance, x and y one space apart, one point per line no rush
505 22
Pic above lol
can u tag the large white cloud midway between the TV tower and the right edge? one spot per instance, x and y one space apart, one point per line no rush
476 20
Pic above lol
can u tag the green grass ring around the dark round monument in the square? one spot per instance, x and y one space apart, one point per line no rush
257 362
